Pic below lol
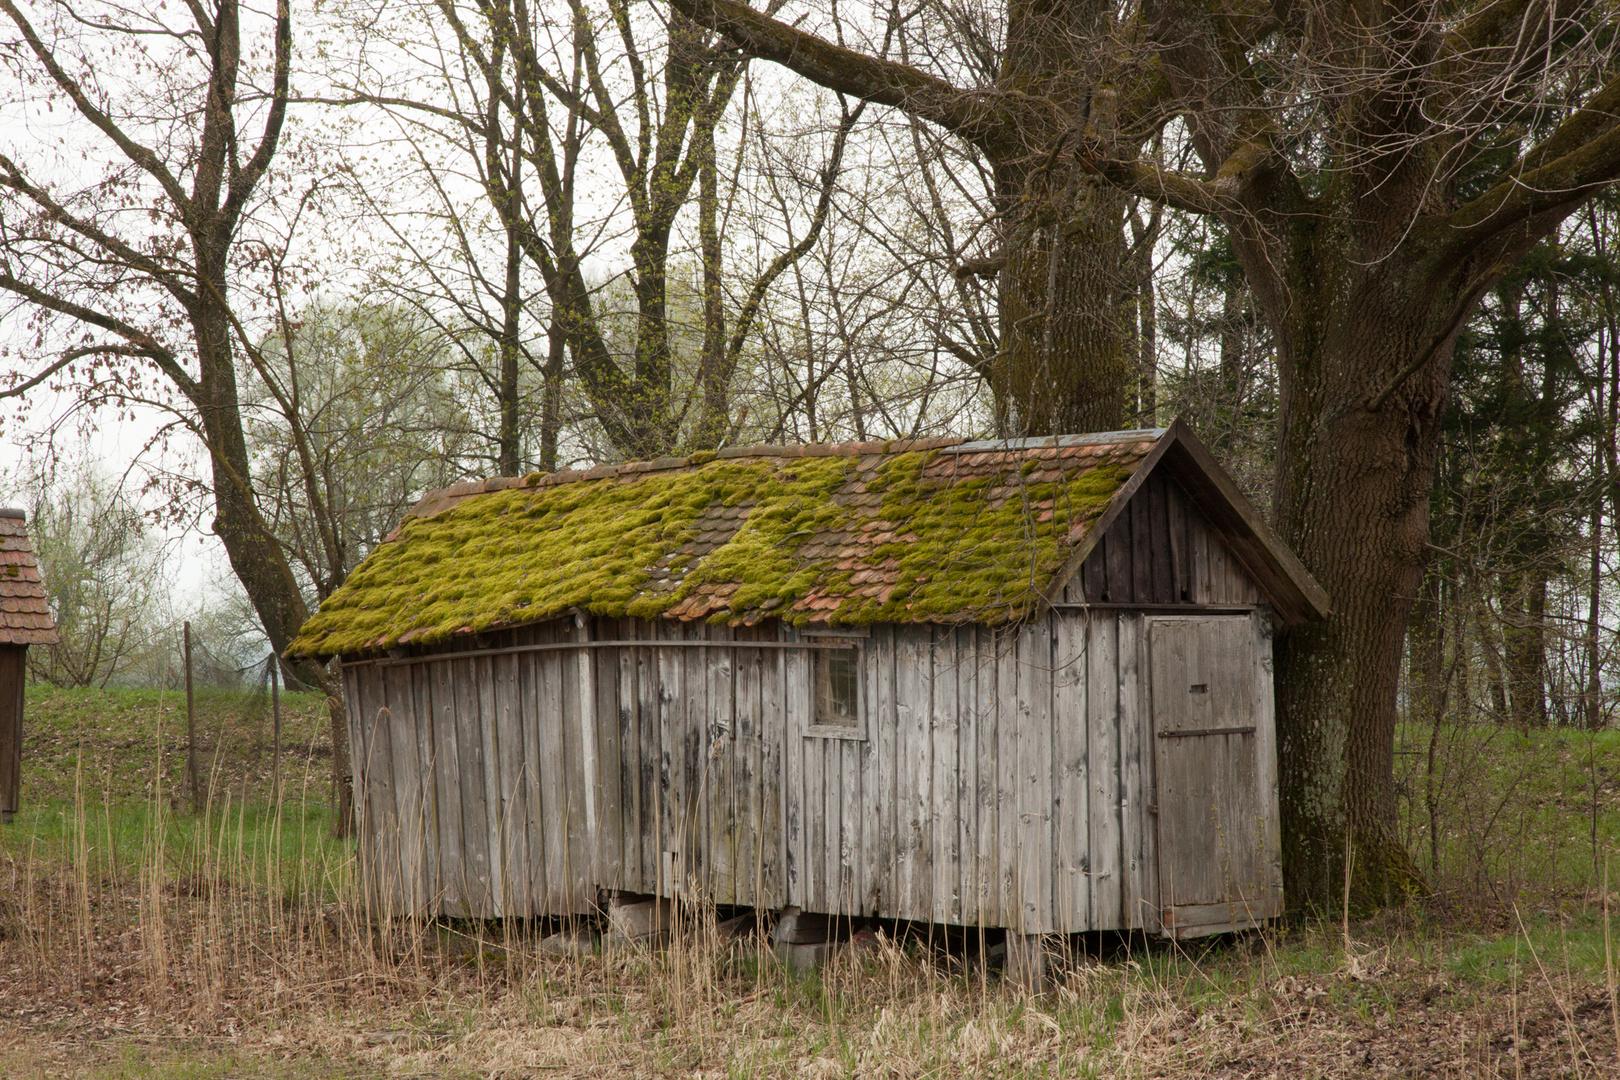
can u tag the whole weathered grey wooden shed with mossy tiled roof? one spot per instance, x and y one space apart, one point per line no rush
991 684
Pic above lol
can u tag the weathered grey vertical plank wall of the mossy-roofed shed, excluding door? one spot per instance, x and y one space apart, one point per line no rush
1005 776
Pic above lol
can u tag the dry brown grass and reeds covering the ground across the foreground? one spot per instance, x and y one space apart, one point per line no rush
140 945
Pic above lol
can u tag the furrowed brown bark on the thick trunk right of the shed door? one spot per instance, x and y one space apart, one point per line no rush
1354 501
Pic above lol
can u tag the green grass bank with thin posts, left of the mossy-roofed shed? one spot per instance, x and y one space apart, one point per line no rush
104 778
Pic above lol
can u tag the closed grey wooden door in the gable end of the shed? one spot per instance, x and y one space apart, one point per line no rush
1211 736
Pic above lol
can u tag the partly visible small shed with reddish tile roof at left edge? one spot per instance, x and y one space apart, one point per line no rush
25 621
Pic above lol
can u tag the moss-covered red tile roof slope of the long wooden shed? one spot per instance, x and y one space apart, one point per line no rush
906 532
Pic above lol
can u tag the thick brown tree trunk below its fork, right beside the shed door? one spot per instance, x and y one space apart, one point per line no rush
1352 496
